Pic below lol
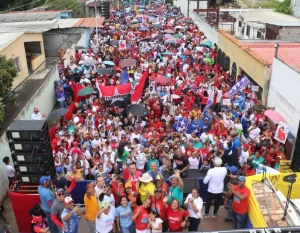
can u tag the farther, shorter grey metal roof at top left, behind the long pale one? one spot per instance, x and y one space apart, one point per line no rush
26 17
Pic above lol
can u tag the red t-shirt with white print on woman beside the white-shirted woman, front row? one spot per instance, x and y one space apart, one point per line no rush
175 219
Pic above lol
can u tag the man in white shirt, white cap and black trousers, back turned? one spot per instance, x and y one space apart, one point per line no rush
215 180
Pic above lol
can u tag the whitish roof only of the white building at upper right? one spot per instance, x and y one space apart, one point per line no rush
264 15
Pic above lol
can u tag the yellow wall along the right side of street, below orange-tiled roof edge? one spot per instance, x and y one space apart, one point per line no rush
244 61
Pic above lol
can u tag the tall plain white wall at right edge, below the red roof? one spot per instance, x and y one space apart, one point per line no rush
284 93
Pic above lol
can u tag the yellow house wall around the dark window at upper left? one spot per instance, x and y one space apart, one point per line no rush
17 49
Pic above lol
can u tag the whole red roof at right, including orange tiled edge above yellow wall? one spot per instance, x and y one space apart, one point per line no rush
264 53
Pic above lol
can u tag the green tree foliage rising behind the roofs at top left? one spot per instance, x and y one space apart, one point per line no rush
73 5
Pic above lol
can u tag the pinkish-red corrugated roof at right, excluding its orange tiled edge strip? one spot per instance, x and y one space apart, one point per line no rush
287 52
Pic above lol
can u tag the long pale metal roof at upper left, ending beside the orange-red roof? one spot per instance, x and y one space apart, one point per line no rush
37 26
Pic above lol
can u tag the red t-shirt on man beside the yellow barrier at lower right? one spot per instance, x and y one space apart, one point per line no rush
241 206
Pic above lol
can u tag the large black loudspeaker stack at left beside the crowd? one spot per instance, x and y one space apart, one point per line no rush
30 145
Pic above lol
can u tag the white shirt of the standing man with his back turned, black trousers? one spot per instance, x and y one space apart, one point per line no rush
215 179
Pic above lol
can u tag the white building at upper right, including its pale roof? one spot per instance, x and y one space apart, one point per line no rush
251 25
